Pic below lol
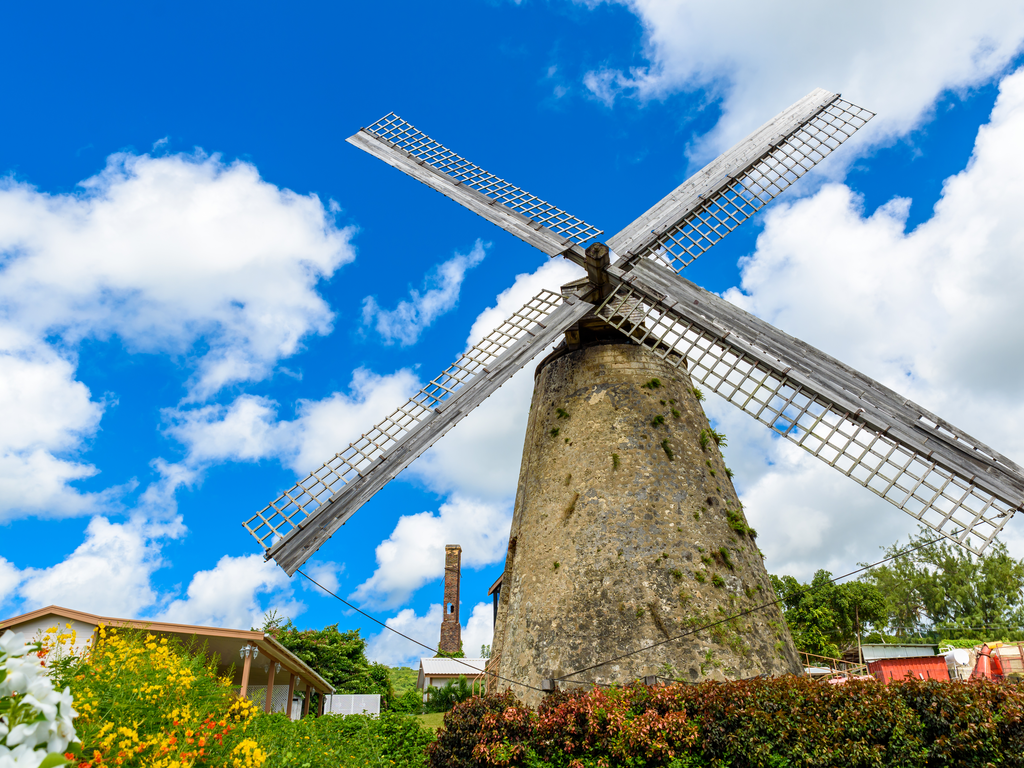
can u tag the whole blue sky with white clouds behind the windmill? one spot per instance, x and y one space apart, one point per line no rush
205 292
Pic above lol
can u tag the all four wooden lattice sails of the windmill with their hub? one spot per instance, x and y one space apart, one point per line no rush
941 476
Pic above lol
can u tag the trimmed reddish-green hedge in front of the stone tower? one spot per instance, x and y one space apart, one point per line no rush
771 723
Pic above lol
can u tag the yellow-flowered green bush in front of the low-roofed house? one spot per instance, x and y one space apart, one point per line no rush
145 701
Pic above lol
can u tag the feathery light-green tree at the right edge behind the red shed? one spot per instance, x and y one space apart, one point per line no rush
947 590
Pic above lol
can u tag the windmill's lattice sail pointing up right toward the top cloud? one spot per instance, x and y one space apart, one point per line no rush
729 191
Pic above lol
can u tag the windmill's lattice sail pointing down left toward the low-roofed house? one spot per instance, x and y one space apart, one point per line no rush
292 528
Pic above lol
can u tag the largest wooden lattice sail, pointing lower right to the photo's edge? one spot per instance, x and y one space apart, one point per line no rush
952 483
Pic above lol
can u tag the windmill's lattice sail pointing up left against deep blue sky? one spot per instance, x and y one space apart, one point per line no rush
534 221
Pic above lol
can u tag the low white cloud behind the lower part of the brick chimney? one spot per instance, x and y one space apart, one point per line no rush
388 648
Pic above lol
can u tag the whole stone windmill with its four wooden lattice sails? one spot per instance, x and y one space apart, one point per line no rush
636 519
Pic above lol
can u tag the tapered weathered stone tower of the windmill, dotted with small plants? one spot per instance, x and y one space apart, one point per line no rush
628 532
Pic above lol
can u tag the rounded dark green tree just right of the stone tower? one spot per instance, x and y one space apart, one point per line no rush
823 616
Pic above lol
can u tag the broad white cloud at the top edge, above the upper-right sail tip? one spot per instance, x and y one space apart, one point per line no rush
894 59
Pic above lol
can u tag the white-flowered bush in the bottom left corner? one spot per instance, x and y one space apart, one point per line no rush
35 720
